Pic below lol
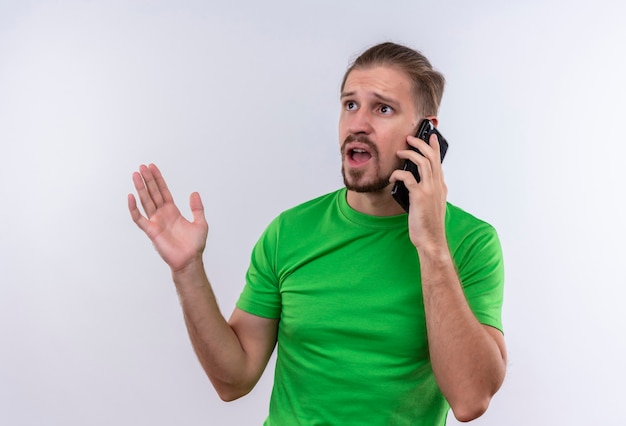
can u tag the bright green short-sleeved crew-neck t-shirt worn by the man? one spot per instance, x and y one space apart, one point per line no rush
352 345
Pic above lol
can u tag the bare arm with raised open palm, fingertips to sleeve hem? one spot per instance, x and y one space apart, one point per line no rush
233 354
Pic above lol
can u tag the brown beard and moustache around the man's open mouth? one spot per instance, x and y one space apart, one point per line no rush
353 179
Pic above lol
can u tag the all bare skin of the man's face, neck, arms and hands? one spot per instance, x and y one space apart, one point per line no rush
378 118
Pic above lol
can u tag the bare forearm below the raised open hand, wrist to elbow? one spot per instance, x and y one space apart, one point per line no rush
214 341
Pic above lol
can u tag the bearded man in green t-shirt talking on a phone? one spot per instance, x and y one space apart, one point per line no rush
379 317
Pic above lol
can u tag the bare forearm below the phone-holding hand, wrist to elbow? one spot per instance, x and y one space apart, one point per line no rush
467 361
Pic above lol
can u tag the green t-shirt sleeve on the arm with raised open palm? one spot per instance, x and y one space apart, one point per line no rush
261 295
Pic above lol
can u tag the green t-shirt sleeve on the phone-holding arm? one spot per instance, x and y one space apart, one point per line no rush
481 271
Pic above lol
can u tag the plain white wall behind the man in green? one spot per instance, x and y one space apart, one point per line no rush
239 101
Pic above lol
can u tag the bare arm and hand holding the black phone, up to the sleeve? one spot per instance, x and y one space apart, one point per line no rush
467 357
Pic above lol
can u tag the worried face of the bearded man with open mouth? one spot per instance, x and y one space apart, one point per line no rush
378 112
